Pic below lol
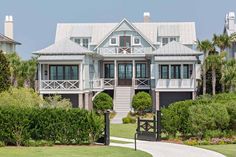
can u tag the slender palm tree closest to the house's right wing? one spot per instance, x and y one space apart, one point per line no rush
204 46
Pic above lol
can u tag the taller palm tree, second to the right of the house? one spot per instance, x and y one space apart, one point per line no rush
222 42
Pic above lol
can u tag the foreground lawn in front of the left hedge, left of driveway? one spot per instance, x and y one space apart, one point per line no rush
71 151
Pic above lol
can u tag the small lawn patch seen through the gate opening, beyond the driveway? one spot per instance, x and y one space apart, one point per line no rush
123 130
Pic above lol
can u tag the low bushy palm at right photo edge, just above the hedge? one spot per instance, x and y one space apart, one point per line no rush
230 74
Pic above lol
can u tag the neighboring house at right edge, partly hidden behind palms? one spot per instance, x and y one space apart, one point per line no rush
229 29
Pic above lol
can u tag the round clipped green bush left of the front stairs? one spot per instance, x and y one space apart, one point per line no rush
102 102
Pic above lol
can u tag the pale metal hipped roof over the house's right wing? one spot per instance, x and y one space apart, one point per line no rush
175 49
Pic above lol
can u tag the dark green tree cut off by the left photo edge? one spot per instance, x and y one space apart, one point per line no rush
4 73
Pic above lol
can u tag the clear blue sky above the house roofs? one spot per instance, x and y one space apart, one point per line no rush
35 21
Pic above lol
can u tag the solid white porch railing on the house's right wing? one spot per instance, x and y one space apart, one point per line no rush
175 83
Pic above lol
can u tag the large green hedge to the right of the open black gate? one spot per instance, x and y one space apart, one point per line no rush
197 117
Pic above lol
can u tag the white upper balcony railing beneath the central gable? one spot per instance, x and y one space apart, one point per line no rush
124 50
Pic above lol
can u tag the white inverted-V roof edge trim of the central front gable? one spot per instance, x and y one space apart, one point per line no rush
132 26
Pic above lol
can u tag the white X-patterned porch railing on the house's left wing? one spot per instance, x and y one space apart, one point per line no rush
59 84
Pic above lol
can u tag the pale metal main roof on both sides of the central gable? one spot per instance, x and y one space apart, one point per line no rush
97 31
